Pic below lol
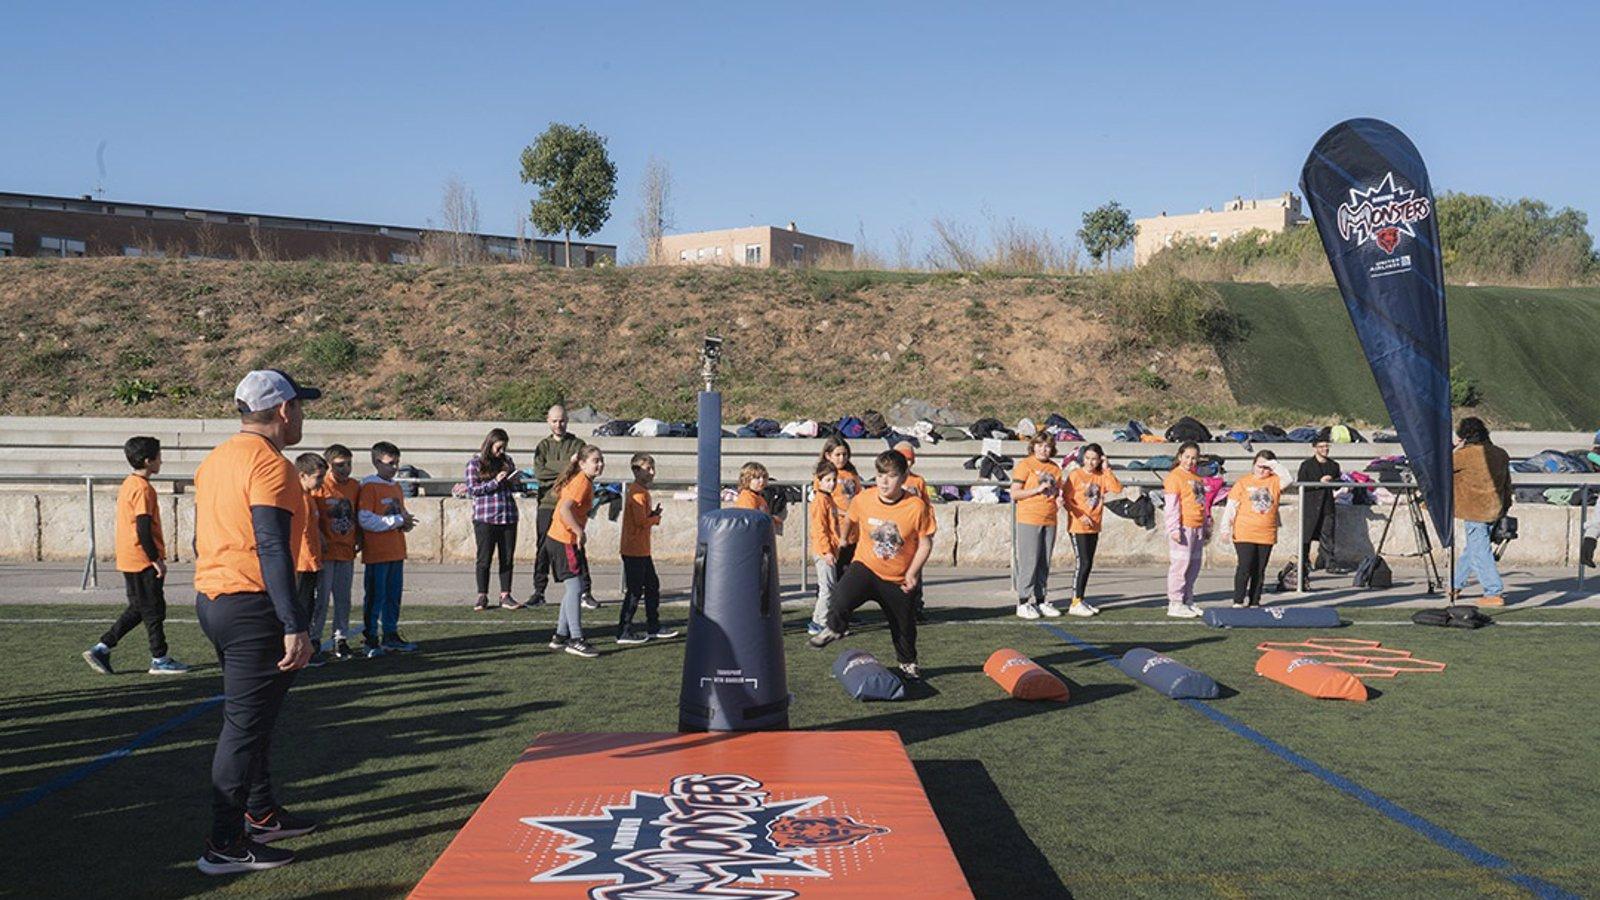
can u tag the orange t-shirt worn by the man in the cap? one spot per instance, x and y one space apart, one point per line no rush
241 473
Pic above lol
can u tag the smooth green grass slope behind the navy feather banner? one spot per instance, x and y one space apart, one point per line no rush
1532 353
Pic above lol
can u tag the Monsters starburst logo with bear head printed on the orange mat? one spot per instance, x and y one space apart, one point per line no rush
706 837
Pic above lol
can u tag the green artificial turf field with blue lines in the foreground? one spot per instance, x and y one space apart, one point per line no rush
1119 794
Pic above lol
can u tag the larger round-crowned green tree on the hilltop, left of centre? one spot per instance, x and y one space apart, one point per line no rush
577 182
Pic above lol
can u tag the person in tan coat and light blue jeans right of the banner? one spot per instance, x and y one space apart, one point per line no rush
1482 483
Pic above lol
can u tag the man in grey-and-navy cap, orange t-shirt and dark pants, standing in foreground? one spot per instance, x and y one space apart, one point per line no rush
246 531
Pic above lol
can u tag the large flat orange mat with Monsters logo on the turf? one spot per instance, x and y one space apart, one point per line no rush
761 816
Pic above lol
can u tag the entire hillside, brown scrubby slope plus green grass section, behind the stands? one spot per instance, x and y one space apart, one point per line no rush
170 339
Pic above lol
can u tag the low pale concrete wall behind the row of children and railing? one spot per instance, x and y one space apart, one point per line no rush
50 526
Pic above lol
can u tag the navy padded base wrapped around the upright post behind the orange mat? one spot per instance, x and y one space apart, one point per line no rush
734 659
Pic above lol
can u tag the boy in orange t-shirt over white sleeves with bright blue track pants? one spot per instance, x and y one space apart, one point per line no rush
382 513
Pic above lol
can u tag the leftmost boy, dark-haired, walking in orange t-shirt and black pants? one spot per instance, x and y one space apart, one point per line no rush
142 558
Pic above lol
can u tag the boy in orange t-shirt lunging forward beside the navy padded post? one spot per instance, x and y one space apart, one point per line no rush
897 539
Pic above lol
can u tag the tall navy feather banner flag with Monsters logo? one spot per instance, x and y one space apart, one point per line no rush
1374 207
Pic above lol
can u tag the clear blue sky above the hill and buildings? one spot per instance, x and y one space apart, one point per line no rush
849 119
